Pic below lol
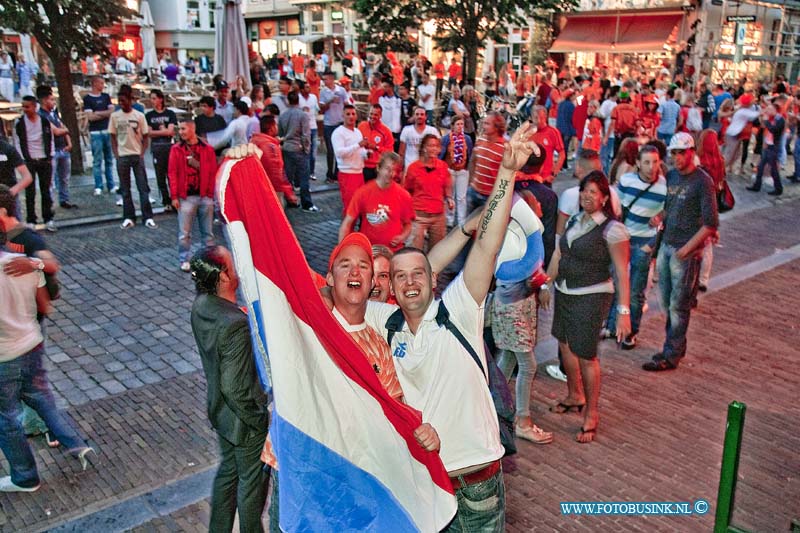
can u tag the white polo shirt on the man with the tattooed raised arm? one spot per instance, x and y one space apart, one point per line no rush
440 378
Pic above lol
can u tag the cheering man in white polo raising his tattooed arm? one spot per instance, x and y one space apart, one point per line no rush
438 374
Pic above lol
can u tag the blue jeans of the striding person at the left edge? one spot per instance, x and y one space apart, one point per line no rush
25 379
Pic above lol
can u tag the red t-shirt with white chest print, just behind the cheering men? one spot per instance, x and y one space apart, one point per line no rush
383 212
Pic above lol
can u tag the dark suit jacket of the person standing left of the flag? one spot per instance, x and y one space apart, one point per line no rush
237 406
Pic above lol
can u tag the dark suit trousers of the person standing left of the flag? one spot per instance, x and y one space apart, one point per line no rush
241 482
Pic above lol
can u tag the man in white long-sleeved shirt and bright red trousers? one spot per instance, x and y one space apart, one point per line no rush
350 148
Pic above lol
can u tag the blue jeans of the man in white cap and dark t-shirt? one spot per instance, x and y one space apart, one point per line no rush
677 287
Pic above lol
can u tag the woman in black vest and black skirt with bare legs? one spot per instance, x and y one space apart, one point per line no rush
593 241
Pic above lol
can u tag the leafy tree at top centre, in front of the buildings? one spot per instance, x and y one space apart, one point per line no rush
463 25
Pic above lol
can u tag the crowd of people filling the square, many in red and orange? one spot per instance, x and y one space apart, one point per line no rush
650 158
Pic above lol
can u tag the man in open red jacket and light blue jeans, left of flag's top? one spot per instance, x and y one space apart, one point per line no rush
191 172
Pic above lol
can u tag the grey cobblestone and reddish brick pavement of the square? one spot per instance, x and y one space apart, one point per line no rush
123 363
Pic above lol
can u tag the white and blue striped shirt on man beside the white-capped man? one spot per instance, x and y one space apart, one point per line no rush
646 207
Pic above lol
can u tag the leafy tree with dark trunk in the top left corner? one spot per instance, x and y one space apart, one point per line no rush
61 26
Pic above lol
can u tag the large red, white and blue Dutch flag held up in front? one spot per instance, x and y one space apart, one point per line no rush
346 453
